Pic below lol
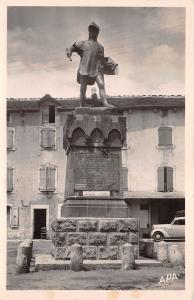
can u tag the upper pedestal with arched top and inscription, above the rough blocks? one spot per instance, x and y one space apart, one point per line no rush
93 138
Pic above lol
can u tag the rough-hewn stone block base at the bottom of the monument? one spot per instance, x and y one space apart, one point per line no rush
101 238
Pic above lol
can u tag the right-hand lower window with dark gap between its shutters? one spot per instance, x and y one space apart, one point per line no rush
165 179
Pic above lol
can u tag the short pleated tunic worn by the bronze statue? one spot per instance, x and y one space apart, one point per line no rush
92 54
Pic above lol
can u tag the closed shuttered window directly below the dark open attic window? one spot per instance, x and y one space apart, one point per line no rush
47 137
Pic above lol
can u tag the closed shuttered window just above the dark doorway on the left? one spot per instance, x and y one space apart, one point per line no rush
48 179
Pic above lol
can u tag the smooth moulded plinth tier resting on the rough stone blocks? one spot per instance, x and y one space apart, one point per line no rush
92 206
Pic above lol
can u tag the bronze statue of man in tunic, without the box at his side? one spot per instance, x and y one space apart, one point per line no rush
91 68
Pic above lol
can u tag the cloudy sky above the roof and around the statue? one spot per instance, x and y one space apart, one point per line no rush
147 43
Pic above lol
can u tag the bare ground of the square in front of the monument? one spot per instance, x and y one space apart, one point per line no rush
145 278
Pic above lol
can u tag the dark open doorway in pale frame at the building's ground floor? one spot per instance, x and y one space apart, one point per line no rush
39 222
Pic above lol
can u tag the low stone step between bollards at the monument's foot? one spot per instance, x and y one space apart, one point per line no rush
47 262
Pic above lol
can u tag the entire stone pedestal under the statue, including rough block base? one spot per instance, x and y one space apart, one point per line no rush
94 212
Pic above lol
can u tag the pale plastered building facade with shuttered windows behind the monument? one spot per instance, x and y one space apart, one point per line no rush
152 160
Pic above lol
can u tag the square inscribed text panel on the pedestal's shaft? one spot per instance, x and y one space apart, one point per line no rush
95 172
